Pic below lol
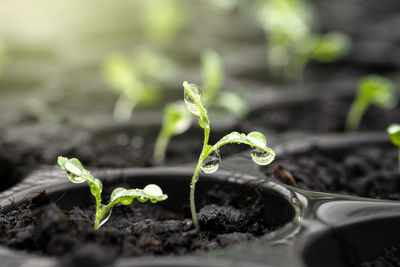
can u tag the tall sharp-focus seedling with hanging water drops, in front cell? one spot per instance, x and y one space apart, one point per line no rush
210 159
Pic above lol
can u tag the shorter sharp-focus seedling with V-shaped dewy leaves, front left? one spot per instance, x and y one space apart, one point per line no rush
78 174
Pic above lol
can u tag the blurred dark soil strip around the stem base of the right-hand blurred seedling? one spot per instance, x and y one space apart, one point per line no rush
324 115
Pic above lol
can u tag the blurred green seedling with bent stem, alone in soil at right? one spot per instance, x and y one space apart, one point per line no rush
372 90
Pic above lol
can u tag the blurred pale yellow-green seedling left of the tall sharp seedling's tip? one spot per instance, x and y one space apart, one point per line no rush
137 80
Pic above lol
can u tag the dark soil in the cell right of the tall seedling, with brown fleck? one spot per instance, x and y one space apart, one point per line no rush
366 171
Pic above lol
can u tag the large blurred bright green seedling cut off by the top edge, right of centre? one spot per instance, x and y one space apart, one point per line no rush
292 42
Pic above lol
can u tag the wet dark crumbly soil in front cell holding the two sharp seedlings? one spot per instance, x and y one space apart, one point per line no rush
228 215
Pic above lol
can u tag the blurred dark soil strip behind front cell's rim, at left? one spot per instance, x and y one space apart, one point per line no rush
26 147
